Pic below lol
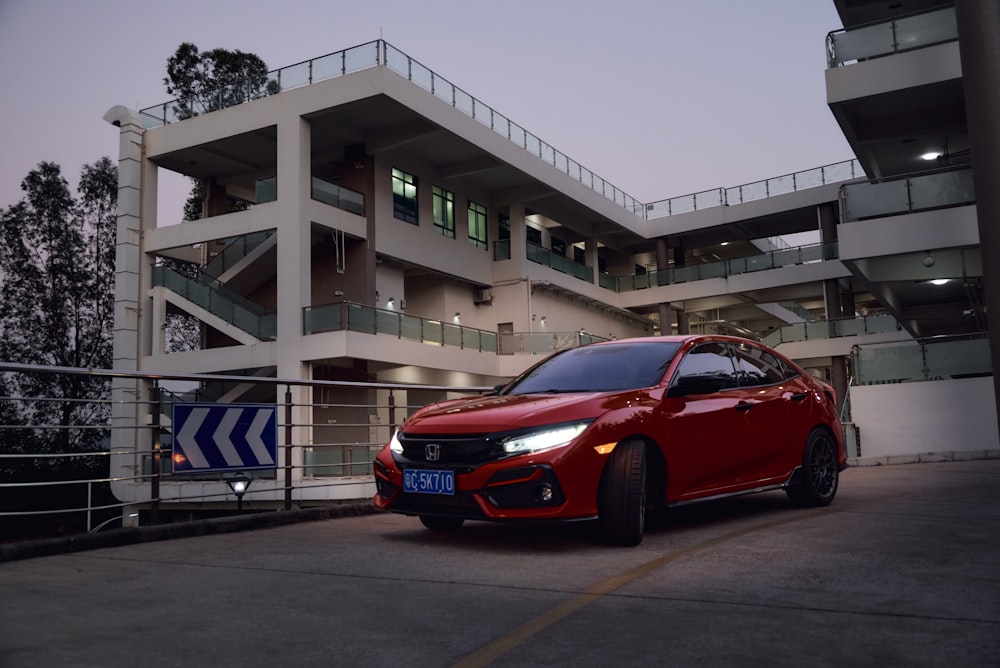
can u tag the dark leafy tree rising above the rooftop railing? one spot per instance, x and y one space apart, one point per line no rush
211 80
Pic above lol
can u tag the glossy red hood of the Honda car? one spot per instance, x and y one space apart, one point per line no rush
485 414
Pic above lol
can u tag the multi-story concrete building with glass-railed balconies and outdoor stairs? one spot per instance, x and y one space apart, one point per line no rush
375 222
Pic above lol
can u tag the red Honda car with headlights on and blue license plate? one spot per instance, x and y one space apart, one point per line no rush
606 430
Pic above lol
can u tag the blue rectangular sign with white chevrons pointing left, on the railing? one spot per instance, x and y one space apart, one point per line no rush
224 437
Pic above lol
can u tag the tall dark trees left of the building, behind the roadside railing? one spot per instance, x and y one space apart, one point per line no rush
56 309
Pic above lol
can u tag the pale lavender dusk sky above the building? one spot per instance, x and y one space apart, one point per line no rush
660 97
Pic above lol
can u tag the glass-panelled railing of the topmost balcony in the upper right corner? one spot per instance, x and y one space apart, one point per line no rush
885 38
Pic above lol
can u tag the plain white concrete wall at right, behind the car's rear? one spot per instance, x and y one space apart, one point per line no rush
914 421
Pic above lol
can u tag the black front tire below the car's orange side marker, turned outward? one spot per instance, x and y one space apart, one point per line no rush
621 504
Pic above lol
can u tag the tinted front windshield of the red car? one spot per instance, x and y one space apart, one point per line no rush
601 368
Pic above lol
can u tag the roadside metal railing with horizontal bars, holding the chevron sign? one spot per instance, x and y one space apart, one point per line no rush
323 444
